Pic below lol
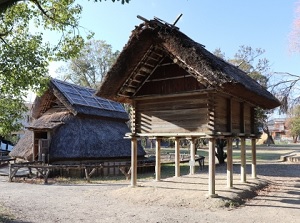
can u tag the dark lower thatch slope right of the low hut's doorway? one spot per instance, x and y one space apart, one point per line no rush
87 138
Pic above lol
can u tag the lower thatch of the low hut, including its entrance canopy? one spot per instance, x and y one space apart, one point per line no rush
78 138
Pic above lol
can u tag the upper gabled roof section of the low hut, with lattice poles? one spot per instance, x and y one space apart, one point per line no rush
78 100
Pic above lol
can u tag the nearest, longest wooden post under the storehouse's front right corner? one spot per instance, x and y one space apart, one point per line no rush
212 168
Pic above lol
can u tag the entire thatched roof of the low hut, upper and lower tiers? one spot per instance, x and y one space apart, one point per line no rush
82 126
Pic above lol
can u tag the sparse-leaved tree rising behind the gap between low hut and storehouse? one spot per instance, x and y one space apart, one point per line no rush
89 68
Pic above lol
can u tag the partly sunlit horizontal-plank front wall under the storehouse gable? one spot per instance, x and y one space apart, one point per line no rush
172 115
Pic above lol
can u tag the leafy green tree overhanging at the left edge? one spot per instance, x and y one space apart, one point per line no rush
25 53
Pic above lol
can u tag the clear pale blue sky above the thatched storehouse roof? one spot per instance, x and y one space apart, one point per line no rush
225 24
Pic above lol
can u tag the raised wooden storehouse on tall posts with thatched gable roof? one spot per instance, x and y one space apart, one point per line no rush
179 89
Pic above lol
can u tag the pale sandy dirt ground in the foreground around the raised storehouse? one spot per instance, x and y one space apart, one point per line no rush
182 199
